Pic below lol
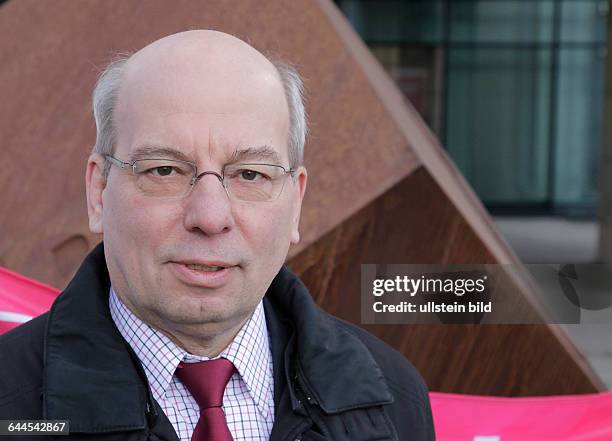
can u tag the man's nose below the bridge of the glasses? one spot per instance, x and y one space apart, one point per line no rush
208 207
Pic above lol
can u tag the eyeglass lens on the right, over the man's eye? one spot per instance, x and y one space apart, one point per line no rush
254 182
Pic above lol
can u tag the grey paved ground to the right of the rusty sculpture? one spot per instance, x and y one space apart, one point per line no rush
557 240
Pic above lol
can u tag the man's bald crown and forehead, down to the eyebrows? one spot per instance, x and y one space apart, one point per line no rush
224 95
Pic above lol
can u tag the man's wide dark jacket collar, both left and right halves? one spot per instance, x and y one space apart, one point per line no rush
93 379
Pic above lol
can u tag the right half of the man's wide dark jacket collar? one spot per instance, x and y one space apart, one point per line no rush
336 368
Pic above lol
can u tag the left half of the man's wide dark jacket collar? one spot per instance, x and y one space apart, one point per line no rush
90 376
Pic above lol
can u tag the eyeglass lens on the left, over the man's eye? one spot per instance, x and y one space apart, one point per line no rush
163 177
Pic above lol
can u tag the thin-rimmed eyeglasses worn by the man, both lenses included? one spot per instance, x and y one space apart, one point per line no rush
173 178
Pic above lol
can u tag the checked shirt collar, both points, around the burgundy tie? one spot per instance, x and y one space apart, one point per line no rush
160 356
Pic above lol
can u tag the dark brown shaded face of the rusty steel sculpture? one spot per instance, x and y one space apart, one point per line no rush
414 223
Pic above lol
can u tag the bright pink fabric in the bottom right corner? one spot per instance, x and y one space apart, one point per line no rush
554 418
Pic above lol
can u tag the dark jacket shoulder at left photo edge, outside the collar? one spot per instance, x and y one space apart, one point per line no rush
22 352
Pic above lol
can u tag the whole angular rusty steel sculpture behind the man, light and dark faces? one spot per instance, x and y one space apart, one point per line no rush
381 190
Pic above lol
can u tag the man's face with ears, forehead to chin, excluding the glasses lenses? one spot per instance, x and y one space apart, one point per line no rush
153 245
